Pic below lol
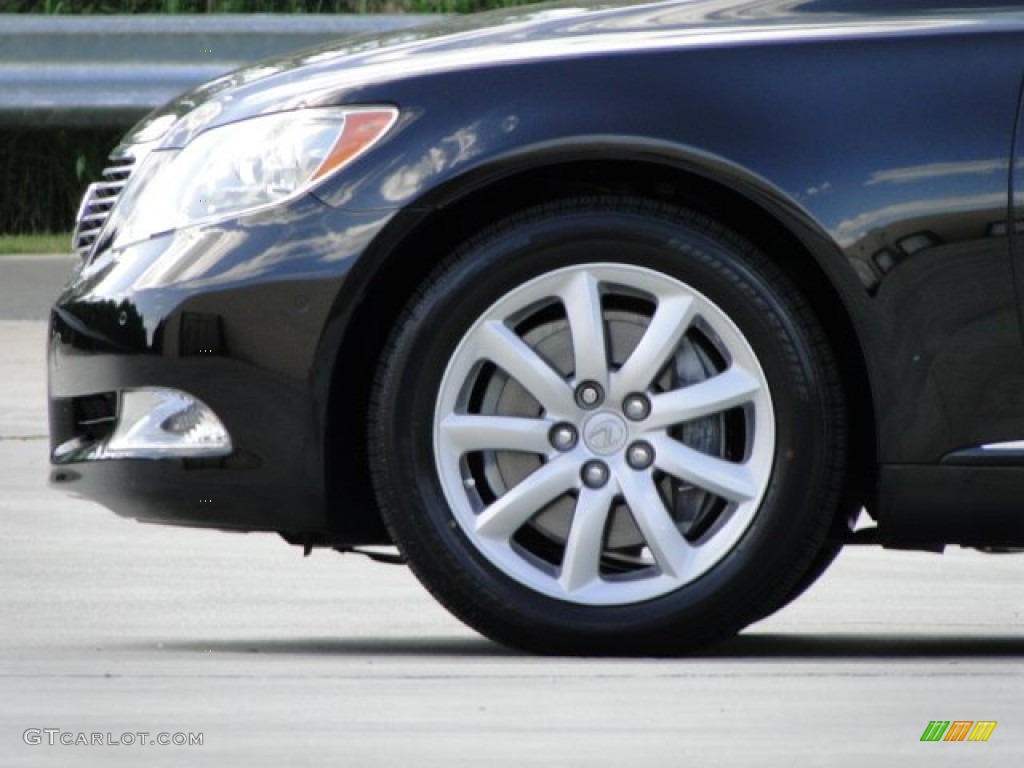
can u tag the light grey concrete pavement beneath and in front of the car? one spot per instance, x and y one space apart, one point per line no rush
114 628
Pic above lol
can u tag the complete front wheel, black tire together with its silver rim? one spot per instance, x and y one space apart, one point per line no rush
608 426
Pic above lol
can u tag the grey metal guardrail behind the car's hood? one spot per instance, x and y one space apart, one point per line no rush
109 71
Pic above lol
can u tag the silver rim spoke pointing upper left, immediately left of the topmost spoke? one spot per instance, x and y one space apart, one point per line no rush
500 346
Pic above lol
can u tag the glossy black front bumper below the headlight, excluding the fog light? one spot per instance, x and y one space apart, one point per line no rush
232 316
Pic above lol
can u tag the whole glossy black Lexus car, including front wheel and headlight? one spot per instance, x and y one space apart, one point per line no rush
612 318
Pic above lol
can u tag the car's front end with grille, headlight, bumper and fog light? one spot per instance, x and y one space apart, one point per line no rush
165 405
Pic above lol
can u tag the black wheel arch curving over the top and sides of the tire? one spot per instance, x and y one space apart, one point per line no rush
419 239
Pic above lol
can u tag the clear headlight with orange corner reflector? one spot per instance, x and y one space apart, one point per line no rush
244 166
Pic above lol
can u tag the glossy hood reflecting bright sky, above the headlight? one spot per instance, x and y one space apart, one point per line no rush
335 73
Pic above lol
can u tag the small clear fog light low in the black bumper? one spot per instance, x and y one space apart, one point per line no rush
166 424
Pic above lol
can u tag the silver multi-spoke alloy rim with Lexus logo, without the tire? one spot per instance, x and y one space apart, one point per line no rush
604 435
